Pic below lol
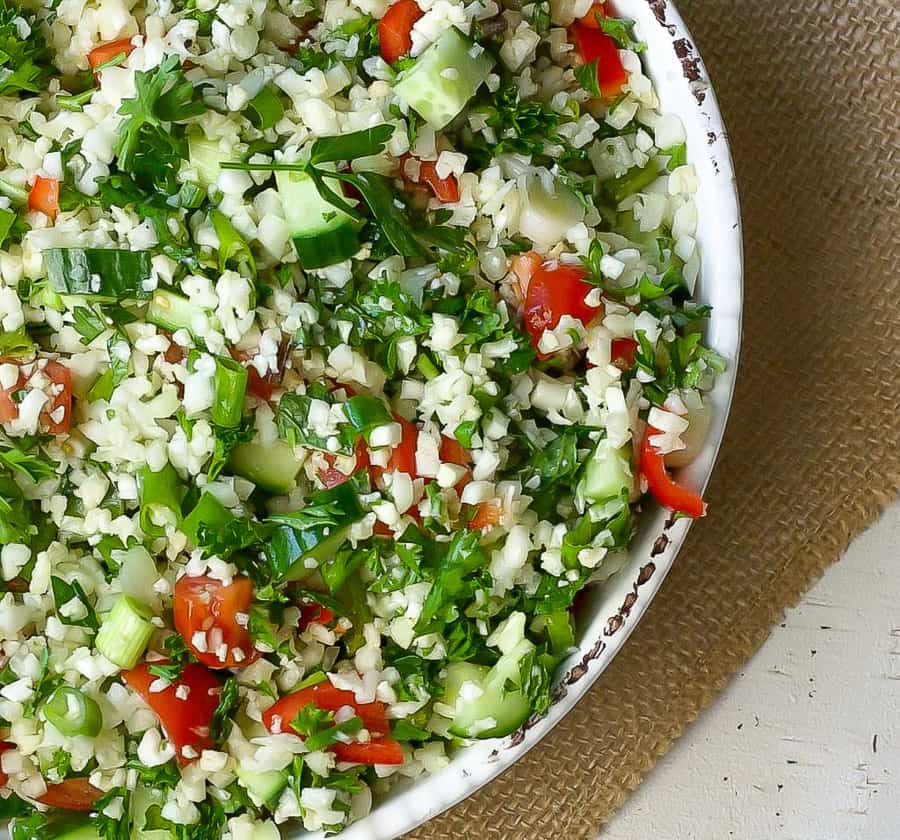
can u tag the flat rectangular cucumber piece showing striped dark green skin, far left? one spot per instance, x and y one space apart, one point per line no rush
98 273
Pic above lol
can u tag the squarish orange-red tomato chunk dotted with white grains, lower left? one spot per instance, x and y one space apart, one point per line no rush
205 605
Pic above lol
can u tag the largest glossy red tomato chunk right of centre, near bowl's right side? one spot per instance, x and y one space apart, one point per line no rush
556 290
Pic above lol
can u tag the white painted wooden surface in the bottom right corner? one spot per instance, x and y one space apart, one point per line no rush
805 743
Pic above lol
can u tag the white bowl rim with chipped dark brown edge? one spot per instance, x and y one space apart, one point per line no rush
684 89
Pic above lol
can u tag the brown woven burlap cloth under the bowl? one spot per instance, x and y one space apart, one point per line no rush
809 91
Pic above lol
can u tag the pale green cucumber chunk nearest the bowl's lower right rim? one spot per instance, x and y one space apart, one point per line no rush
495 711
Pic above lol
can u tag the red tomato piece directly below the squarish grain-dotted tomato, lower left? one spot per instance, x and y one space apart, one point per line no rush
187 721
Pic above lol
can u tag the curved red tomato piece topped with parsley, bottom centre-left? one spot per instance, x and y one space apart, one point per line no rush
380 750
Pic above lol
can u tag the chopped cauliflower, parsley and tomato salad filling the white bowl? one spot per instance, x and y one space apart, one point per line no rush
342 343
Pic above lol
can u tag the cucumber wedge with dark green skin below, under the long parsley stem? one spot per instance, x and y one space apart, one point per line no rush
323 234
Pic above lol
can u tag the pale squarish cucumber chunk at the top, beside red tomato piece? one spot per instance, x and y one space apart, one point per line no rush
444 78
